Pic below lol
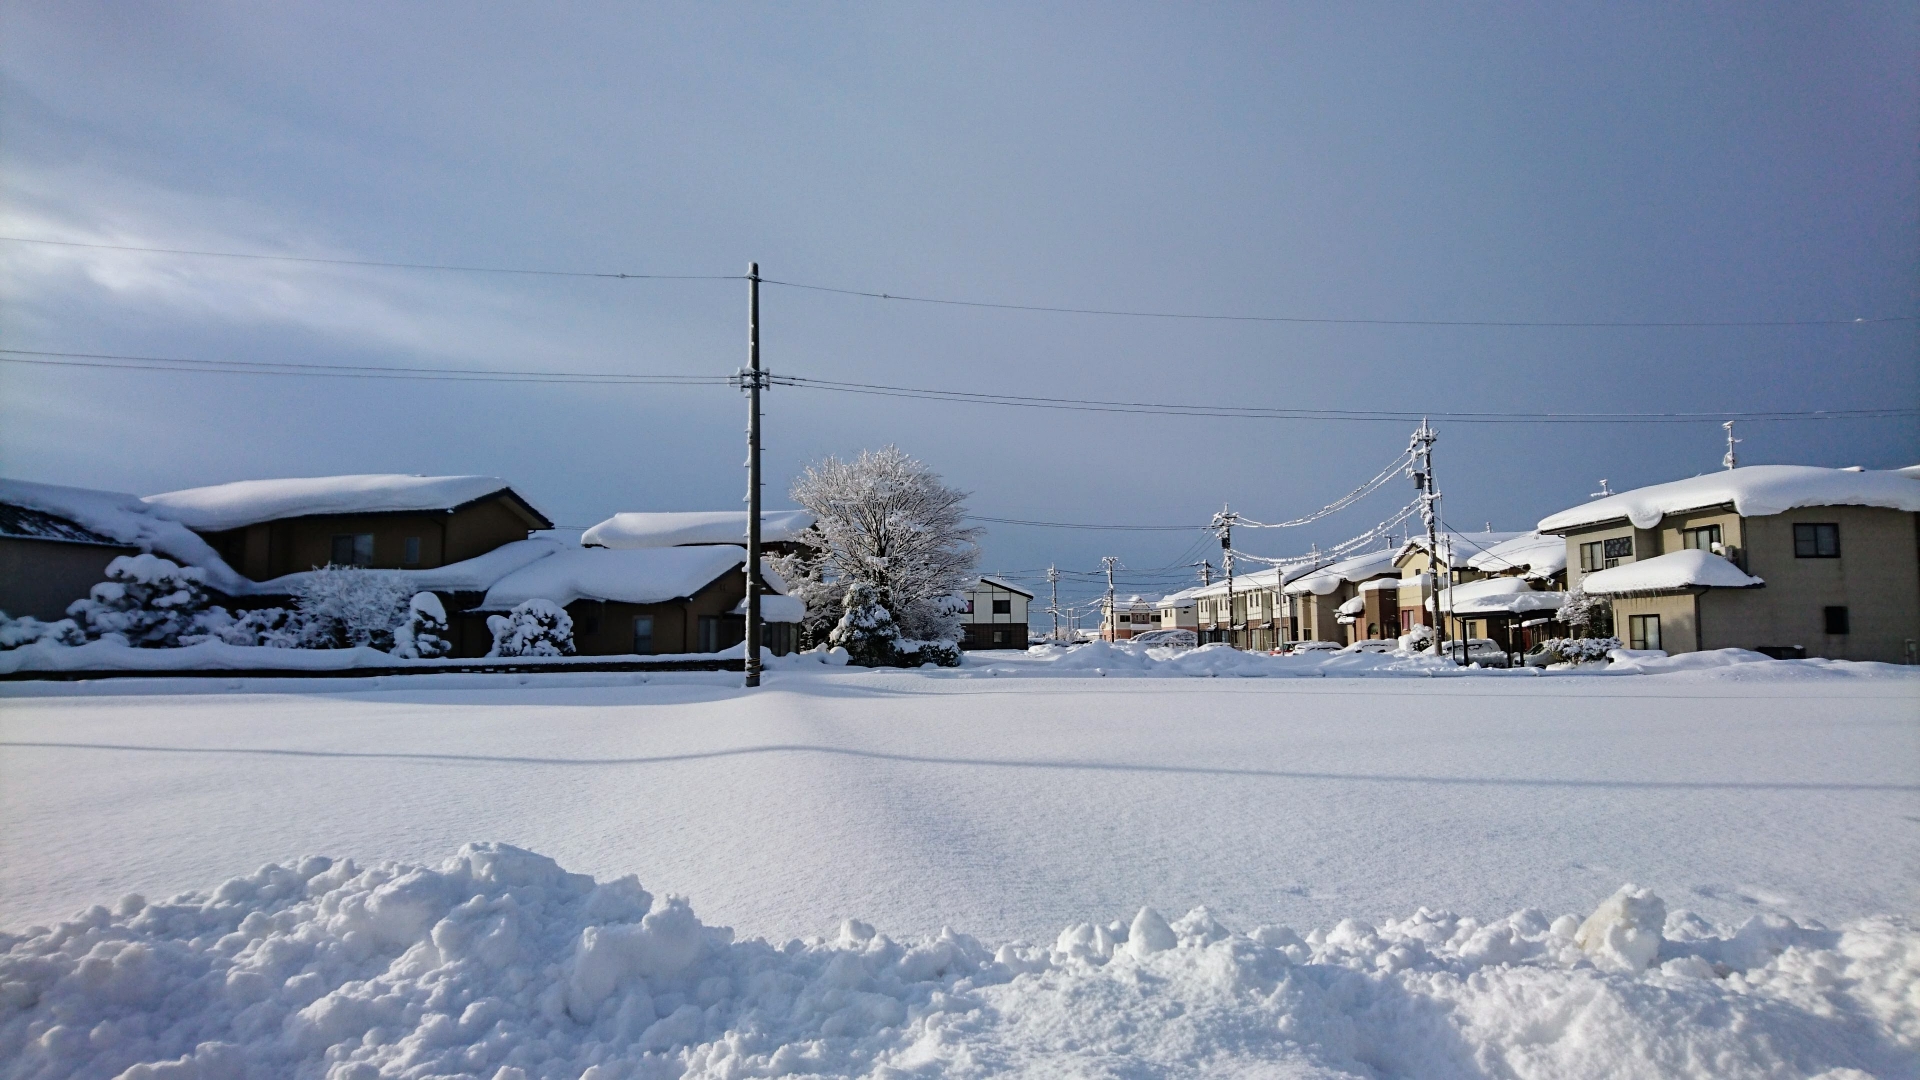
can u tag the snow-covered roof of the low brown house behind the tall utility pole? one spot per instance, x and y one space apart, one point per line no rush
646 576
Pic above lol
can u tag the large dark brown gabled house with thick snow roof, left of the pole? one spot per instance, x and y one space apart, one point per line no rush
268 529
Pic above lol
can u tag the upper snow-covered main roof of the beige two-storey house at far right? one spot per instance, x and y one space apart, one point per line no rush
1756 491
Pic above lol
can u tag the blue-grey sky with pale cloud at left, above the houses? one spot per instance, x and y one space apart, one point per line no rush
1495 162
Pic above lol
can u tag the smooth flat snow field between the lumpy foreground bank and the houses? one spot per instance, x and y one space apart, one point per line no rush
1005 806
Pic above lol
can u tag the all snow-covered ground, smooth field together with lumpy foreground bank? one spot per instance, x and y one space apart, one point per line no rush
996 802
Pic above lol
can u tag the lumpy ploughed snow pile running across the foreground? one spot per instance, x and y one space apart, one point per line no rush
502 966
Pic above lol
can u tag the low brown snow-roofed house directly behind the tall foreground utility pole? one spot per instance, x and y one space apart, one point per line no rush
644 601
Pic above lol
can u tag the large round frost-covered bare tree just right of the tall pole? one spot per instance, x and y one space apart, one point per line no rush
892 524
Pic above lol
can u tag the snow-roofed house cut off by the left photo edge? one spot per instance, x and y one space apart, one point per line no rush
57 545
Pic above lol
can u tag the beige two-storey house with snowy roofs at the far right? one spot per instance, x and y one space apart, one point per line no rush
1788 560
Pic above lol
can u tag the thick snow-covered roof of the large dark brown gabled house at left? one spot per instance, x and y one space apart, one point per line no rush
251 503
